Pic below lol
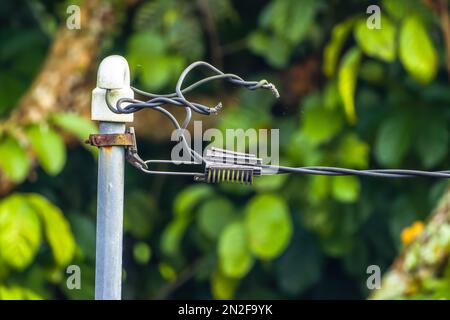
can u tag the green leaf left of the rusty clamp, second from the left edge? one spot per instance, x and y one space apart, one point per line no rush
48 146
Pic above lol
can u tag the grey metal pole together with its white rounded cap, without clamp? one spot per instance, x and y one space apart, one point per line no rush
113 75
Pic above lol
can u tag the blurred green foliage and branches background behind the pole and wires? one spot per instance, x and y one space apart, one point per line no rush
350 97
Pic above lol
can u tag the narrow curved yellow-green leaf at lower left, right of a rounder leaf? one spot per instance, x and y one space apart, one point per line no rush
56 227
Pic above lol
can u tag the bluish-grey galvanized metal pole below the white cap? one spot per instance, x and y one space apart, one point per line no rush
108 268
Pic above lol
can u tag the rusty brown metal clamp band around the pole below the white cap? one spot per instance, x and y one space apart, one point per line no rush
127 139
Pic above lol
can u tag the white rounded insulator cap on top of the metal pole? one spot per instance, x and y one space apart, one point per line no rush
113 75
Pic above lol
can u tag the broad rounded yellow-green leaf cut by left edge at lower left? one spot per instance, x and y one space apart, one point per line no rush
20 232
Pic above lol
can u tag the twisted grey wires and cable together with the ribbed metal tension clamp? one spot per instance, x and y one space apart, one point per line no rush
221 165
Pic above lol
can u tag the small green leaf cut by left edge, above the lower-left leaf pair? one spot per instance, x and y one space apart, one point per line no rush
13 160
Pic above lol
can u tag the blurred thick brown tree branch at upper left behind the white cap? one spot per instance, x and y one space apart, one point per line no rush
68 73
